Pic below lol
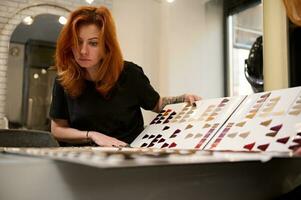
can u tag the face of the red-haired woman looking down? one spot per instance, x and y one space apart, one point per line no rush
90 51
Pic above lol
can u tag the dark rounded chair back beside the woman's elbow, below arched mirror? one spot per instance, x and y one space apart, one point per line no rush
26 138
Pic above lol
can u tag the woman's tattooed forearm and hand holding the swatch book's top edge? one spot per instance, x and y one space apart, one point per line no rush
163 101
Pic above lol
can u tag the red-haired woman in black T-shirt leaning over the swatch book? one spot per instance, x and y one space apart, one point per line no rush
97 95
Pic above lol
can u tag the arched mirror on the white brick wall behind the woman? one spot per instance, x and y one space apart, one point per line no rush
30 81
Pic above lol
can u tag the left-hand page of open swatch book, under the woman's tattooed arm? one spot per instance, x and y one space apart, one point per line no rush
187 127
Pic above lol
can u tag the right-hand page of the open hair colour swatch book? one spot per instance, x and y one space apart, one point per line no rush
269 121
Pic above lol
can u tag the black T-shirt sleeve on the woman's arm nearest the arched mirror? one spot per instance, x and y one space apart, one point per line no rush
58 107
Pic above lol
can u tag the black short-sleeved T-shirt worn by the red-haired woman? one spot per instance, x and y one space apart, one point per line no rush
119 116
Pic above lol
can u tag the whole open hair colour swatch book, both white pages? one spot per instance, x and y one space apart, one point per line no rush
268 121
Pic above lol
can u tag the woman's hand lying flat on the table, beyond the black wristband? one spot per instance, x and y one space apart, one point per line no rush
105 141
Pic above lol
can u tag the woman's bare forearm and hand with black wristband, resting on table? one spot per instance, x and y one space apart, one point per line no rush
62 132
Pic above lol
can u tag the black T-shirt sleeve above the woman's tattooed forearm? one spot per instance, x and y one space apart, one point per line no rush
148 97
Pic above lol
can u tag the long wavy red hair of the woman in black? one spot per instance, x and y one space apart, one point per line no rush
71 75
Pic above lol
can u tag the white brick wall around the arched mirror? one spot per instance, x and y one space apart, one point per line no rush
12 13
